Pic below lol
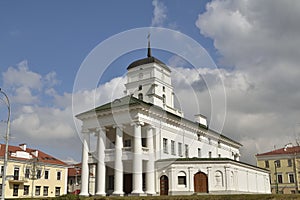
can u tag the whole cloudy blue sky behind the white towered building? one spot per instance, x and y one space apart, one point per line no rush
254 44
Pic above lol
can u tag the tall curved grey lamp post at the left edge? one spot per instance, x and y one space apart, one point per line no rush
6 146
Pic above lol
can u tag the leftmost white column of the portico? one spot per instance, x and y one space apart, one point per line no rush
84 191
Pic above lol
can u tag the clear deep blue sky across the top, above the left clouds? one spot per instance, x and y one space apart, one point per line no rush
56 35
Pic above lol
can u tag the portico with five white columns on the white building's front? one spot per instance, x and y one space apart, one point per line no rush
116 146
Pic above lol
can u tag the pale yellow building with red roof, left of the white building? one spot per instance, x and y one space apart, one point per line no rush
32 173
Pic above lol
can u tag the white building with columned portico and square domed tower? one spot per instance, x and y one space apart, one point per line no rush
146 147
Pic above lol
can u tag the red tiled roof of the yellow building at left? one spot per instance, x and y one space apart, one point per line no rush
42 157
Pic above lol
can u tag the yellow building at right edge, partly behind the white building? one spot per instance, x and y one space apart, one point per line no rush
284 168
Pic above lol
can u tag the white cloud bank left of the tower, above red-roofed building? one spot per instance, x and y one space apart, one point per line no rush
50 126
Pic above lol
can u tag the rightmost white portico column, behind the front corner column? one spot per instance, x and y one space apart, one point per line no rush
150 176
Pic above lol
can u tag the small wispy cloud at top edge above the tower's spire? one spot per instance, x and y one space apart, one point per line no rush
159 13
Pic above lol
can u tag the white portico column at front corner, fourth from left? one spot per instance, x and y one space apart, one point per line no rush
137 162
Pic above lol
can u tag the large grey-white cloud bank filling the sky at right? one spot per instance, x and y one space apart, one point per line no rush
261 41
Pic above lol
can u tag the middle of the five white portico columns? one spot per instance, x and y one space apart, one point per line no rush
118 190
